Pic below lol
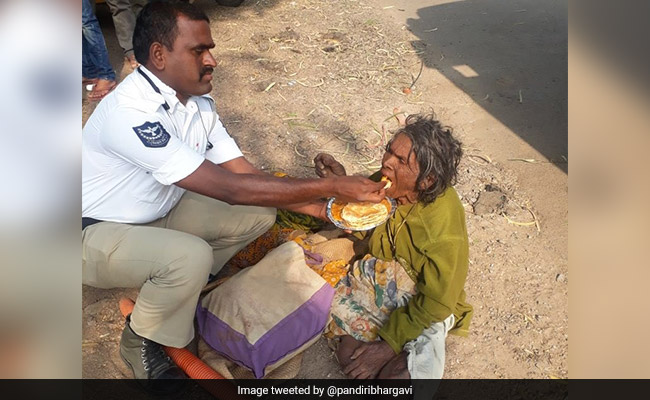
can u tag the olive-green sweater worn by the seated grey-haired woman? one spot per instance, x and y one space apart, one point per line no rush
432 247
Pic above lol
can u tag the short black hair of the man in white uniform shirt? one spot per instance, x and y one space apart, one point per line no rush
157 23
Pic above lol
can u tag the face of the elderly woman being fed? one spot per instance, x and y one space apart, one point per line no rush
400 166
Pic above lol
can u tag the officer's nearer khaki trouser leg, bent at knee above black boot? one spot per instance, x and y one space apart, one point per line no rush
171 267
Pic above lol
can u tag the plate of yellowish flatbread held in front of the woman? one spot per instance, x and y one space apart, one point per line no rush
359 216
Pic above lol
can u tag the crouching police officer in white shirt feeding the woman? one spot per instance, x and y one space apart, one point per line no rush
167 196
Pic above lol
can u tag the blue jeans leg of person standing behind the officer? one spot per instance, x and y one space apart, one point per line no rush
95 63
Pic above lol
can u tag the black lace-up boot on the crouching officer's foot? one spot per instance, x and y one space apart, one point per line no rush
149 362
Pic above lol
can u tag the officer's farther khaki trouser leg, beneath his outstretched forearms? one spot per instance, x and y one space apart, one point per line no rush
226 228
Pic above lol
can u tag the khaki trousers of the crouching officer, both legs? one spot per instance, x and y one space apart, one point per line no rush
170 259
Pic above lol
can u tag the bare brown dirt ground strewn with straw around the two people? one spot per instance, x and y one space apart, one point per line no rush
299 77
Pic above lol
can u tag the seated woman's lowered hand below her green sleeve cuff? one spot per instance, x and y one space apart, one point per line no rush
368 359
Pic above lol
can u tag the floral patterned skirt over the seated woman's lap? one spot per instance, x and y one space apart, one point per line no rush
366 296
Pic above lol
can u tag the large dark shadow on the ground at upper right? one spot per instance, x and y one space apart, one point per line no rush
510 57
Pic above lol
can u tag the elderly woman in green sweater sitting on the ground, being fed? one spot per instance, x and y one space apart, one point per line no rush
395 307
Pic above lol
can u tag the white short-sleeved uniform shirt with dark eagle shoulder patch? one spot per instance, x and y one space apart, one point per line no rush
133 150
